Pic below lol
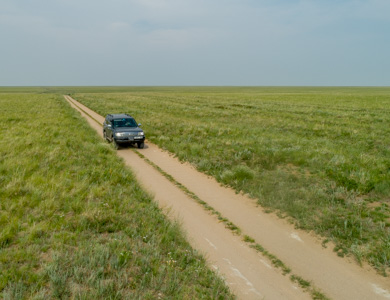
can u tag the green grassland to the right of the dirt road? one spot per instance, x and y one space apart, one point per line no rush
319 156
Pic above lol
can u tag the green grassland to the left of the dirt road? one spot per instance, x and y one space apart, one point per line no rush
73 221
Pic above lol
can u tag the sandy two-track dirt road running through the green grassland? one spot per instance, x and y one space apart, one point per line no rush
249 274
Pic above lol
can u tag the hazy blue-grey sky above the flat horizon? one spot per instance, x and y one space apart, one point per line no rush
195 42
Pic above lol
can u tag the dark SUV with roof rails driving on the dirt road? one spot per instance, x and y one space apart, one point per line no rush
123 129
